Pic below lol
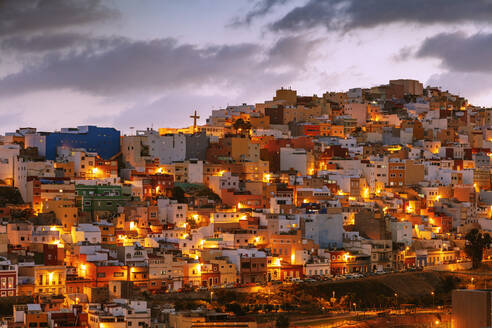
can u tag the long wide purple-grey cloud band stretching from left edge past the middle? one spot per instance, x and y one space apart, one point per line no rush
126 66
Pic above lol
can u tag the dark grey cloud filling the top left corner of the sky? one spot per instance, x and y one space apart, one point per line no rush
19 17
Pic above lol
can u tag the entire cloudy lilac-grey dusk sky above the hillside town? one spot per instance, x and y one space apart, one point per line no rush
151 63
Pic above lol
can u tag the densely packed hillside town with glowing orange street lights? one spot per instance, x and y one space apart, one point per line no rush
95 223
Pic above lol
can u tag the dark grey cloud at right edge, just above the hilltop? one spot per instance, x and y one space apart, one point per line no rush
459 52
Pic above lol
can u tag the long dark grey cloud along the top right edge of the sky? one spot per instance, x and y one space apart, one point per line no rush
353 14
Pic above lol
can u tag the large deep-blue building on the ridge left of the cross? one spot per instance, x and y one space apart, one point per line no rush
104 141
